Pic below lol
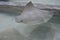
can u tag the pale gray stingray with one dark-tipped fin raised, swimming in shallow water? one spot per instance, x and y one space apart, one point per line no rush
32 15
